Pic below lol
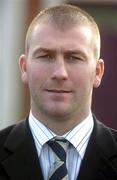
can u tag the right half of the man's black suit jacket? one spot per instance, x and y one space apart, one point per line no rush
100 160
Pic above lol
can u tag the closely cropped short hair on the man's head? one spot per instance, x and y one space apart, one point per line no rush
65 17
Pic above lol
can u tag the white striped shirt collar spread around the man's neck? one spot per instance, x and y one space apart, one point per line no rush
78 136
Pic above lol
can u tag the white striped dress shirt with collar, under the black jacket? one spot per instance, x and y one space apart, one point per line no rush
78 138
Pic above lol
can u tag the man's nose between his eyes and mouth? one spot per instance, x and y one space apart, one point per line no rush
60 70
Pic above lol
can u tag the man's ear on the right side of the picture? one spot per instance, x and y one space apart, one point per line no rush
99 73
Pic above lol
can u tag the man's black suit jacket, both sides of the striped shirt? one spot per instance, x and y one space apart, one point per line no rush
19 160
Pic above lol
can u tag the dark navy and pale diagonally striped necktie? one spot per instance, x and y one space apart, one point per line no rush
59 170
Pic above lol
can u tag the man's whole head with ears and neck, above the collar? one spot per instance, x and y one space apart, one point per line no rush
62 65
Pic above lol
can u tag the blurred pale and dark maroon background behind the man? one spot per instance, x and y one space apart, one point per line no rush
15 17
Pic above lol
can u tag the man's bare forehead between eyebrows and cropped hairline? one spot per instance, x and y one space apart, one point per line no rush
49 35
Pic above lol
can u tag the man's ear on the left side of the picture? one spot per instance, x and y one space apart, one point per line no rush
23 67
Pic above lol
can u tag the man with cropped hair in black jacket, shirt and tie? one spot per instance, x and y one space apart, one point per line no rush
61 66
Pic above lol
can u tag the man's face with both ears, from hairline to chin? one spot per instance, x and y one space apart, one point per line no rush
61 71
